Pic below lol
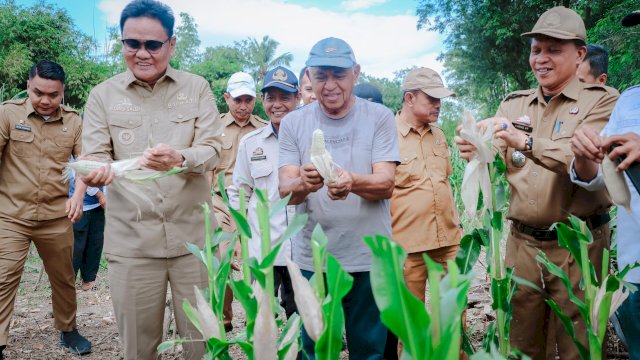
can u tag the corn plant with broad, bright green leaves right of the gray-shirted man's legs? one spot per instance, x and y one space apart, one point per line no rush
425 335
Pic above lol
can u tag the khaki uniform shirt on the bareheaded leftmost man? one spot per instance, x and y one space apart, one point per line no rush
33 153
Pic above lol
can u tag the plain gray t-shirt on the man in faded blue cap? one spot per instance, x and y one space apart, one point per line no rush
366 135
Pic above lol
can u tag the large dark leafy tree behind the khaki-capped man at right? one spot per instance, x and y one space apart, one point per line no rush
485 57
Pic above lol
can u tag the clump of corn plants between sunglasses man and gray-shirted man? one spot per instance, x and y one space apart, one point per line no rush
260 340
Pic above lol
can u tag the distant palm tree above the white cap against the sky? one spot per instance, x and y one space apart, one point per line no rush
260 56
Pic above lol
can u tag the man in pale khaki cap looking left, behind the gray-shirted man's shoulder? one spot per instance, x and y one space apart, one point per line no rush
423 212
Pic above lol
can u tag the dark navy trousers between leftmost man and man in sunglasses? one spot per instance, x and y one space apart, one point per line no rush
88 235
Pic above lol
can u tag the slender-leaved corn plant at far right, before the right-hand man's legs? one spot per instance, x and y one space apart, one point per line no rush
601 297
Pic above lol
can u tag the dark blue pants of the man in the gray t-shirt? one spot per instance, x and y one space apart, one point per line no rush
366 335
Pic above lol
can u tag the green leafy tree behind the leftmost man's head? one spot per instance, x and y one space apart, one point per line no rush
46 32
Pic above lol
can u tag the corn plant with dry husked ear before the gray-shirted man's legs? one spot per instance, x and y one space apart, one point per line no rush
321 307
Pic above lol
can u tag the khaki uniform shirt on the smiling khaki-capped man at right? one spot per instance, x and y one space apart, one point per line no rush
541 191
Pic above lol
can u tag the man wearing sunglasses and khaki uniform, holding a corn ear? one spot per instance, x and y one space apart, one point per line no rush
166 117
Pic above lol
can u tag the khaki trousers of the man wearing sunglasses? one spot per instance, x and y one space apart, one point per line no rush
139 290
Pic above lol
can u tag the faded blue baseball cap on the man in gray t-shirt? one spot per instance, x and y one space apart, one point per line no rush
331 52
